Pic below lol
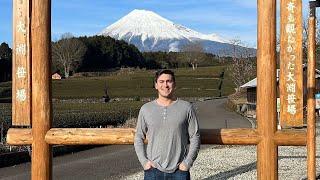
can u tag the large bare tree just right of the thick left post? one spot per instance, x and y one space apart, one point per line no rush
67 53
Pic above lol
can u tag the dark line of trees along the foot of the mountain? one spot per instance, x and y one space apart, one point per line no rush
99 53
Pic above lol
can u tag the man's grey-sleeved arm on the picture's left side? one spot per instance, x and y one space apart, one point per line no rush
141 131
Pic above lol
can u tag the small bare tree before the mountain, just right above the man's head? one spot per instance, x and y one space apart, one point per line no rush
193 54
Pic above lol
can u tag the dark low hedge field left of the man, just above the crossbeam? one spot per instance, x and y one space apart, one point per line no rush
77 115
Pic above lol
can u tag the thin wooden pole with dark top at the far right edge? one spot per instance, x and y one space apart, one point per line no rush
311 131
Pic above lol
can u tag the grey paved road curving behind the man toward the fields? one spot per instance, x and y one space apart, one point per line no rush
116 161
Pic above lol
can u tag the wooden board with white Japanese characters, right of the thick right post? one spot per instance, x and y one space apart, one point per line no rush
291 71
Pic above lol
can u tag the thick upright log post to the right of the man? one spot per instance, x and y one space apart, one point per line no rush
267 159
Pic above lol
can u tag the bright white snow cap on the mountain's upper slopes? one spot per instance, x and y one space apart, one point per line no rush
147 24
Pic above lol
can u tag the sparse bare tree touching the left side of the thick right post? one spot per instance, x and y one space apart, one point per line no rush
243 67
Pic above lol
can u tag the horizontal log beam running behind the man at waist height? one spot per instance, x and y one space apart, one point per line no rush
85 136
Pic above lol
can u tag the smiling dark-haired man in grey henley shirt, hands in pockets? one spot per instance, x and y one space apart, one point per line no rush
168 124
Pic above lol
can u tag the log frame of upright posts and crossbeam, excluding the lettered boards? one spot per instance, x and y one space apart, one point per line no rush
266 136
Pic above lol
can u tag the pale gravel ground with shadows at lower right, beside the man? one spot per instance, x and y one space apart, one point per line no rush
239 162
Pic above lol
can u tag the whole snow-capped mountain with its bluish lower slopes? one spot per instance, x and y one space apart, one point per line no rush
149 31
